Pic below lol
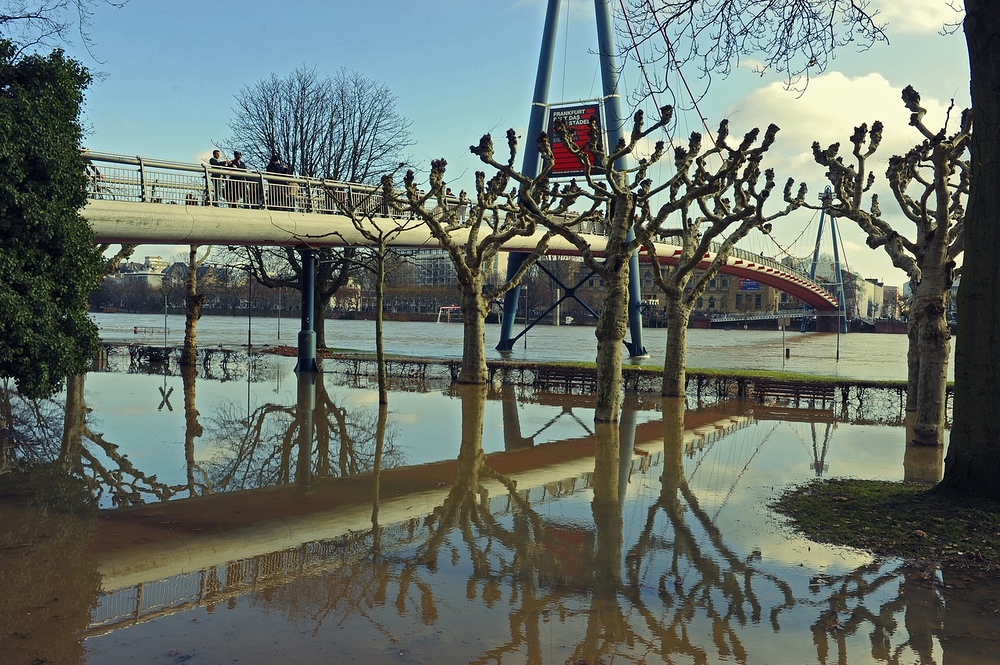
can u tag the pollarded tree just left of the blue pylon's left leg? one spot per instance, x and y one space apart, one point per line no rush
472 232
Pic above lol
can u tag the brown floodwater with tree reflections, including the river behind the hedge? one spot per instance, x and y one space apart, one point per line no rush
249 515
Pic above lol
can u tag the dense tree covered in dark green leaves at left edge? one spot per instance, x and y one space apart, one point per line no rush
48 260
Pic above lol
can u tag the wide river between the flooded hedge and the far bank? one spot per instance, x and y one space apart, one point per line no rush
850 356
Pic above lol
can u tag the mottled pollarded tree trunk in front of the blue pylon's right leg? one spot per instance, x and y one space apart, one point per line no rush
610 332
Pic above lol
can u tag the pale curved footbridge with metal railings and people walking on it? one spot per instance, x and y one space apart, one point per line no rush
147 201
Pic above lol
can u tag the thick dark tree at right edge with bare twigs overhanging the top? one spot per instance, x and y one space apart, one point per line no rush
798 37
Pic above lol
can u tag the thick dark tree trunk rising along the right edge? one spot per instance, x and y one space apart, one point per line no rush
972 465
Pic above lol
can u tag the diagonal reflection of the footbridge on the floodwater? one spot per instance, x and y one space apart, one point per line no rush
162 558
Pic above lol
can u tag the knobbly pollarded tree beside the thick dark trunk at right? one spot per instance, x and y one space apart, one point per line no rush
930 184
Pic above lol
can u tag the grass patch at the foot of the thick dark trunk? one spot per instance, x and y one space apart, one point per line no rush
897 520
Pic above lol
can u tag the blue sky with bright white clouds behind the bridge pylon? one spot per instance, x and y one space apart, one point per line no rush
169 73
